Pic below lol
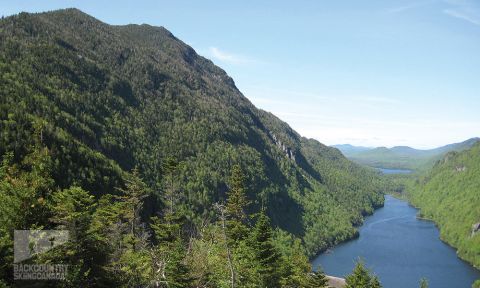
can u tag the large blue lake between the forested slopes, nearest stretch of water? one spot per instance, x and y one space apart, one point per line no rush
400 249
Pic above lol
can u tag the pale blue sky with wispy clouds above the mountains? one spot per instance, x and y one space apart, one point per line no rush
375 73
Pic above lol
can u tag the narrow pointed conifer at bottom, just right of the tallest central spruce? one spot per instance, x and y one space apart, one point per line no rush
266 254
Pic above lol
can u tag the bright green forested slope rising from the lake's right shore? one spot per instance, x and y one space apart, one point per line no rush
449 194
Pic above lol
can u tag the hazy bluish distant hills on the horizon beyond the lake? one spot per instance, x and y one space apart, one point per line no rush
402 157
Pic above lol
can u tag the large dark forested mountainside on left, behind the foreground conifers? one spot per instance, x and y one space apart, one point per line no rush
106 99
